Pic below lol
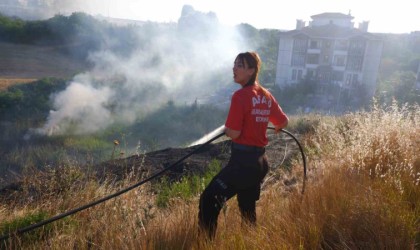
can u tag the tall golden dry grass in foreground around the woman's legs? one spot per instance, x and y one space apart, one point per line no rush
362 193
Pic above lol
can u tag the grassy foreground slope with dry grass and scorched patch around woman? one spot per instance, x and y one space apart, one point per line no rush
361 193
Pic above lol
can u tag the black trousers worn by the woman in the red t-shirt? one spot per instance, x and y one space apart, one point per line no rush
242 177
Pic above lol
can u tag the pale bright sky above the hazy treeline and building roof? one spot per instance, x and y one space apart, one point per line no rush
384 16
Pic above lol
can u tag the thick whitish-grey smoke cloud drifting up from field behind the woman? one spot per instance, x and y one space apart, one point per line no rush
179 63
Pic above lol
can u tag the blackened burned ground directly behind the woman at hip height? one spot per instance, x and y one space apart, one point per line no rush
279 152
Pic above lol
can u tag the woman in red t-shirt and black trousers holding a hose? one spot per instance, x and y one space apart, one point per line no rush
252 108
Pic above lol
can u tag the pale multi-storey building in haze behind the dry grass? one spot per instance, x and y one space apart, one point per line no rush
330 51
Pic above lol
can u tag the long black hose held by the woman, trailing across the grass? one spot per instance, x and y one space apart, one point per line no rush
76 210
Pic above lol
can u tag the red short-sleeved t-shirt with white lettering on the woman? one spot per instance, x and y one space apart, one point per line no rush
250 112
